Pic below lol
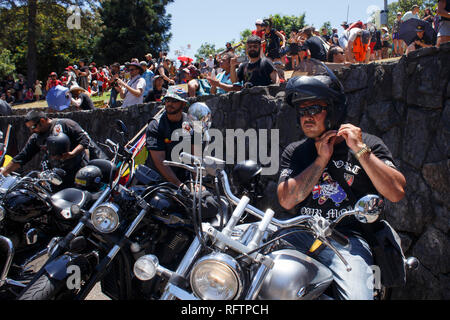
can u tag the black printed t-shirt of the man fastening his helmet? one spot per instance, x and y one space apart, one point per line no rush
328 198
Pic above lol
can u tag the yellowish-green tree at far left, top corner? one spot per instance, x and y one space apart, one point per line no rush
54 44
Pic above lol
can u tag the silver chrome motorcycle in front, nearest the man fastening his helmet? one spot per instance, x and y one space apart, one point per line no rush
250 261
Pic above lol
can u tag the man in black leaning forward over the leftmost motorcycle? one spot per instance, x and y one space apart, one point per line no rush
51 136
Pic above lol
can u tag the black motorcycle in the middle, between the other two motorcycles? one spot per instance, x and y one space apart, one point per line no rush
143 215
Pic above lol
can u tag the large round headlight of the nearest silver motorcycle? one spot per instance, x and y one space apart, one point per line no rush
216 277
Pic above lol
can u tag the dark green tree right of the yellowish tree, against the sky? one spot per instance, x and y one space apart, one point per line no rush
133 28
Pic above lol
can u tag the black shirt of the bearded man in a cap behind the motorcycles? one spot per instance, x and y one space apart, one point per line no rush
159 138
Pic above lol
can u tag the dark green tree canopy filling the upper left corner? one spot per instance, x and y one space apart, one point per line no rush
41 36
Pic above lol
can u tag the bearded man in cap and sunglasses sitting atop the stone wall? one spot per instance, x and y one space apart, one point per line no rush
259 71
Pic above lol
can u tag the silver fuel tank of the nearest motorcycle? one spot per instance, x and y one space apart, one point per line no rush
294 276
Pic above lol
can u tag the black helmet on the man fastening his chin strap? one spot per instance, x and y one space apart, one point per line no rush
320 83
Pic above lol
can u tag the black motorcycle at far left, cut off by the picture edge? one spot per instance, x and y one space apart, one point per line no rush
31 214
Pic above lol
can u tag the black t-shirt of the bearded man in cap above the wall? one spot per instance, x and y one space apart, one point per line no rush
258 73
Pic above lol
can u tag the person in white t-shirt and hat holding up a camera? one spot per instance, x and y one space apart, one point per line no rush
132 92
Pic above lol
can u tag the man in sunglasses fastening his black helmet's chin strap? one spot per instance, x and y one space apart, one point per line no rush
325 173
